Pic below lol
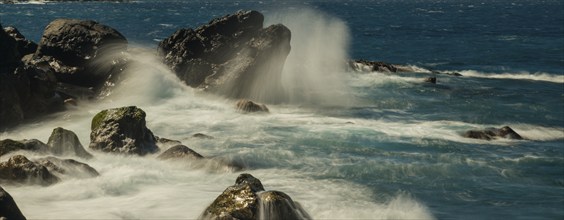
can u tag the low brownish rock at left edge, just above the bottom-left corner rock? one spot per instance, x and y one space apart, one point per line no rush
18 169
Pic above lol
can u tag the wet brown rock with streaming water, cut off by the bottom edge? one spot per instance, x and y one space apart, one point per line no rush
247 200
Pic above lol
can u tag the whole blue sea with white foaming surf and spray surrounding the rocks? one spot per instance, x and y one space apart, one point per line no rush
348 145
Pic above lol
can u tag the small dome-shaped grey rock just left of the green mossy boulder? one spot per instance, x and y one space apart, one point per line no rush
65 142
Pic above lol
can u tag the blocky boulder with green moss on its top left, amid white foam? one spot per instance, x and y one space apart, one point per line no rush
122 130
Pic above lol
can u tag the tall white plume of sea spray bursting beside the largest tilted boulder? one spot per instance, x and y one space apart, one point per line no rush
314 70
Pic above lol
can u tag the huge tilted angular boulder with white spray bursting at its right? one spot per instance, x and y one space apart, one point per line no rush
229 54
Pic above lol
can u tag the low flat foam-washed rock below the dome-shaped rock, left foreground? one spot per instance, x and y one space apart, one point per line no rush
68 167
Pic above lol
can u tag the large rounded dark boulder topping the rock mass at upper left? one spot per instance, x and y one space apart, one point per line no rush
81 52
